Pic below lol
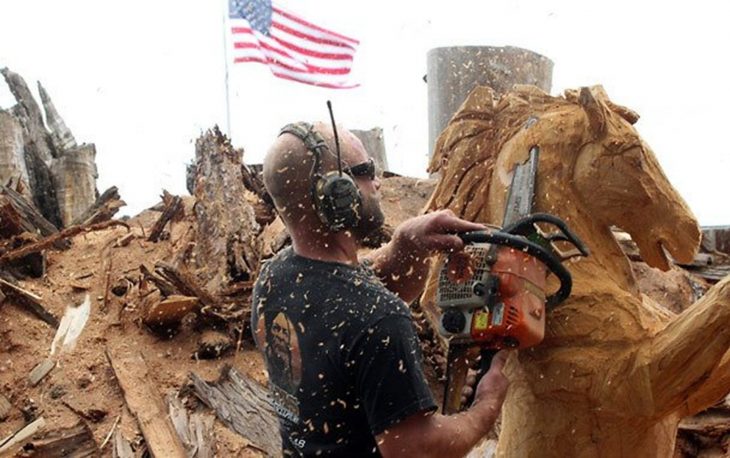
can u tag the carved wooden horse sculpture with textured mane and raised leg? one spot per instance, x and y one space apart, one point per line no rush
616 371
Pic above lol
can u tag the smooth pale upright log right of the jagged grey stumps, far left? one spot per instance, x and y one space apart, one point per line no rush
74 178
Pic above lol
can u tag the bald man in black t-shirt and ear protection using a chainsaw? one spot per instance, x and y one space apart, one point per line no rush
354 385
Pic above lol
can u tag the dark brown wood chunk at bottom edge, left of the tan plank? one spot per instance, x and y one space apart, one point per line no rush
77 441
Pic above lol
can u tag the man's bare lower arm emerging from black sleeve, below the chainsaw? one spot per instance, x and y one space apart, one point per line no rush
425 435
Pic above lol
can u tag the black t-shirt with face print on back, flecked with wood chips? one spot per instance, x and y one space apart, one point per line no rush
342 354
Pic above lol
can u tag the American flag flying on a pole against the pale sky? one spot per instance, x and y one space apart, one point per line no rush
293 48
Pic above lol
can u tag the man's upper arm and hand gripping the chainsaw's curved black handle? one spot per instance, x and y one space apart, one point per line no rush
403 263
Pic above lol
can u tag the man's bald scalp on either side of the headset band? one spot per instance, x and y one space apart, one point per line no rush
288 171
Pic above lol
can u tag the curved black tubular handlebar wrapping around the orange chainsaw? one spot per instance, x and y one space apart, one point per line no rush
533 249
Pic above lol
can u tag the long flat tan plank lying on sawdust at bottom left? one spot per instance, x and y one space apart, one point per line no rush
145 403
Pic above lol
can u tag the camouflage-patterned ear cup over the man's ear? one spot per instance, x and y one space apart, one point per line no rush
338 201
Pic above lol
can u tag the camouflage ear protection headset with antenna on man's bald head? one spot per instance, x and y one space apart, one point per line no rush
336 197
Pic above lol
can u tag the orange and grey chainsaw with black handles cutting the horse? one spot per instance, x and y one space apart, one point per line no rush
504 302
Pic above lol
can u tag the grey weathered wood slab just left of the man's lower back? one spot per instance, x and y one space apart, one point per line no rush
242 405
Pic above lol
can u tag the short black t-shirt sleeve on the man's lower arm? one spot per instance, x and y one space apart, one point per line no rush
388 372
